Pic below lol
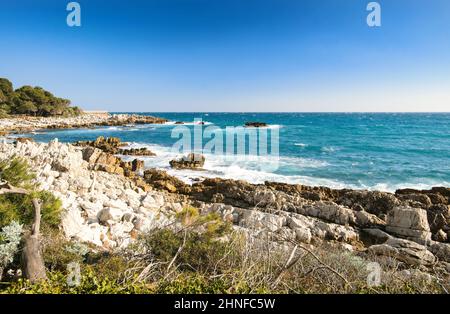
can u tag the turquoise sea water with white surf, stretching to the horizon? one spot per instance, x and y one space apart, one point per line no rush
381 151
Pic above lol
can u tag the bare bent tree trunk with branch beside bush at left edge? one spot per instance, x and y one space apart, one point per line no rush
32 260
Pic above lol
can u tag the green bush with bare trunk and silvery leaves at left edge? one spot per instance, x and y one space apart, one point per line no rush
23 210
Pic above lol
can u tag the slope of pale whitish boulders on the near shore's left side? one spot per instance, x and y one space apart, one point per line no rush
102 208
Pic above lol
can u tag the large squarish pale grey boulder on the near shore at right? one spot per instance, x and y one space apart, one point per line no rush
410 223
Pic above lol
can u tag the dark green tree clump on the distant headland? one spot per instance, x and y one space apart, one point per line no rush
34 101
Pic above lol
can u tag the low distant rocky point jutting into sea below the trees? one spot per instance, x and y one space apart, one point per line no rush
25 124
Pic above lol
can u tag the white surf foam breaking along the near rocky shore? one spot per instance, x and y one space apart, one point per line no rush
254 171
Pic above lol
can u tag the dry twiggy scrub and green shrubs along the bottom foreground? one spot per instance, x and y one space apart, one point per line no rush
203 255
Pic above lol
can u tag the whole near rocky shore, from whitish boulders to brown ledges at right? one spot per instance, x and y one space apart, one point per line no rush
107 204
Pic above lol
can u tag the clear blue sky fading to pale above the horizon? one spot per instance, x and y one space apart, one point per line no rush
232 55
